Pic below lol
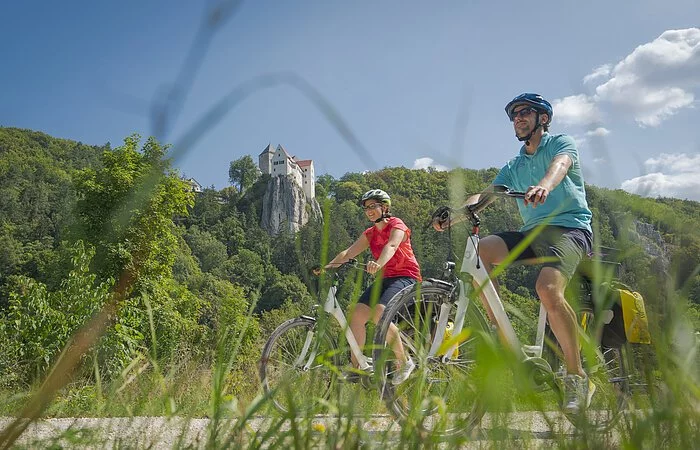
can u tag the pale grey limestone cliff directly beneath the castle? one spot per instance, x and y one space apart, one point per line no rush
285 205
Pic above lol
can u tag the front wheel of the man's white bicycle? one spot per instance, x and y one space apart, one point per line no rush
440 396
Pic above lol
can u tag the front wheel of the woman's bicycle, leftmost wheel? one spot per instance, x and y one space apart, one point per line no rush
295 366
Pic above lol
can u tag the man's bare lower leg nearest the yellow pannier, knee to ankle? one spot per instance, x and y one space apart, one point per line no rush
550 287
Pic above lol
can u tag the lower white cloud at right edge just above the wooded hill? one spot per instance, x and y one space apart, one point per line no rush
671 175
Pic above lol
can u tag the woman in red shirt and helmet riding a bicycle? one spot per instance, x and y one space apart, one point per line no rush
389 241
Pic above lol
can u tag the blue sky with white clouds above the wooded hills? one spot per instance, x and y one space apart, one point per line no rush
417 83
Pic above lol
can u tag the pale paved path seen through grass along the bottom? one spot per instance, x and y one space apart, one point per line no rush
532 429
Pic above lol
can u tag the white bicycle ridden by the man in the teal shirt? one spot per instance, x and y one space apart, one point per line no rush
446 334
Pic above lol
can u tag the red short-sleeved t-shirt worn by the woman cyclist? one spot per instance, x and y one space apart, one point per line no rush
403 263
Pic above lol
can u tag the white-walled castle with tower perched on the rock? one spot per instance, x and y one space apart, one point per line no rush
277 162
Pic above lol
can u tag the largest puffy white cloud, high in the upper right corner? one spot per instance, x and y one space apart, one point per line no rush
657 79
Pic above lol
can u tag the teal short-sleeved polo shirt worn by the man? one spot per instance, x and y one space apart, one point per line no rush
566 205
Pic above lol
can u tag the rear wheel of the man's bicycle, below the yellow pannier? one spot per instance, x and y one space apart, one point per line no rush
608 369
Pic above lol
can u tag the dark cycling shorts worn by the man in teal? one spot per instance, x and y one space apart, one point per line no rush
558 247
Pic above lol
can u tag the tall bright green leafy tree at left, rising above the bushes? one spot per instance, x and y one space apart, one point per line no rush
125 210
